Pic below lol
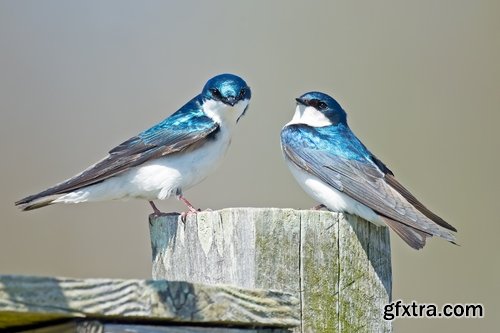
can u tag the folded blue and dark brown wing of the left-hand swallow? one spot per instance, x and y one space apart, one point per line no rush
185 129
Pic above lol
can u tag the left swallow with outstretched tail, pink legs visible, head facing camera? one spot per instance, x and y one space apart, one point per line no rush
163 161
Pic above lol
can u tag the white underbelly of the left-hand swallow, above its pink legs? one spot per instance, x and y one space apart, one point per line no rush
160 178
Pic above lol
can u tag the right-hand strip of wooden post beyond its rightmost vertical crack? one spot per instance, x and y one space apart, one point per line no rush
365 276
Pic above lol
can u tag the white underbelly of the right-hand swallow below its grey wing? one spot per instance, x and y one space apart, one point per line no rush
331 197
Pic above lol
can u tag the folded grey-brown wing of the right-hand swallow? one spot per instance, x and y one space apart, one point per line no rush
362 180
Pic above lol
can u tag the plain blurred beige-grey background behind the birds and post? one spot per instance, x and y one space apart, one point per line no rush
420 81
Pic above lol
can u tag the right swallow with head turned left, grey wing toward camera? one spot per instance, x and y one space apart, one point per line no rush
332 165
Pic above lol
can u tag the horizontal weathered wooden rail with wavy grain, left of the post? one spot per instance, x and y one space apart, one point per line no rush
26 300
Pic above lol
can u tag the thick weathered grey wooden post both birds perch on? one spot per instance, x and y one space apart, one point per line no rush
338 265
